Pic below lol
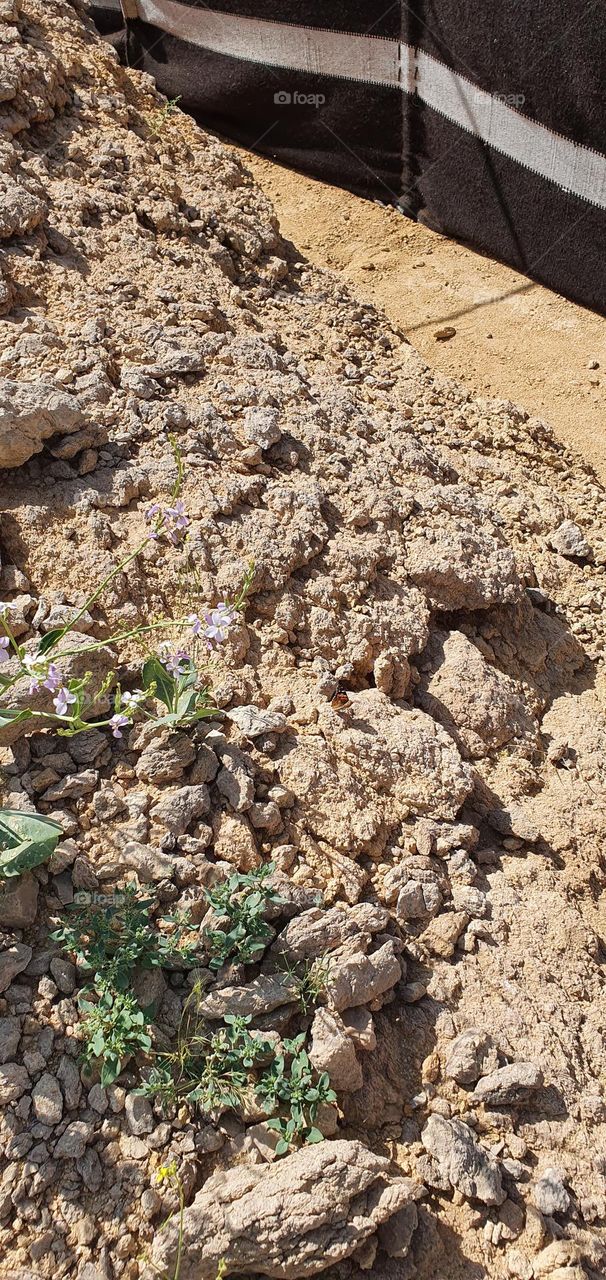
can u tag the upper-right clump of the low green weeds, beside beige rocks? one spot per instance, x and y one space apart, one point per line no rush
242 902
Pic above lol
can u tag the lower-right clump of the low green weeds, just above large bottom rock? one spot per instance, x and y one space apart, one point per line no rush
293 1089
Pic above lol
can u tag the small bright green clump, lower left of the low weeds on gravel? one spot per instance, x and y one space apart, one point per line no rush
115 1028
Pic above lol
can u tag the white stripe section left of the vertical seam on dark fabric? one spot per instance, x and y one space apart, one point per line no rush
277 44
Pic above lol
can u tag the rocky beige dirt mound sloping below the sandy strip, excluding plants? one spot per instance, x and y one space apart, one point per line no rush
414 726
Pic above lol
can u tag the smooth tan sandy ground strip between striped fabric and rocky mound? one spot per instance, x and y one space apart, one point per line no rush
514 340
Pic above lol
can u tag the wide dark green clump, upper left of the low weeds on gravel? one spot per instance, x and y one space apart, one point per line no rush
115 938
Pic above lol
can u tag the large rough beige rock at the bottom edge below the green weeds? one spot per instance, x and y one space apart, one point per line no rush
290 1219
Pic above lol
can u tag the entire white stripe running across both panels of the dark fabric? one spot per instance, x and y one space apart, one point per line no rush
377 61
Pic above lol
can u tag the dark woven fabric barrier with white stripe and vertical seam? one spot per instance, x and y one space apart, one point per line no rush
486 121
